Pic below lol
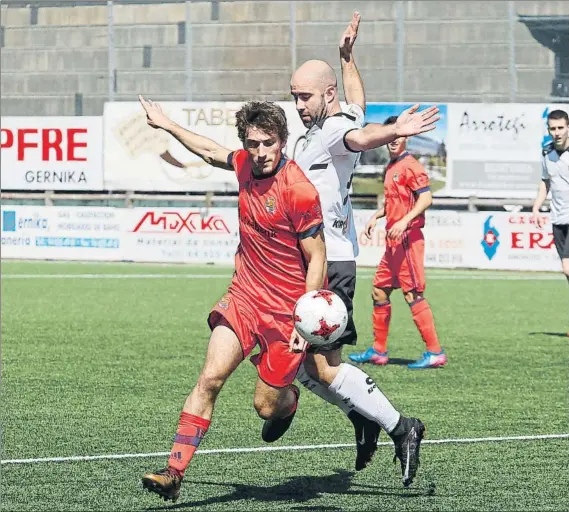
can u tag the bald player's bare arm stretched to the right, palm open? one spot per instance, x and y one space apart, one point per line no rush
409 123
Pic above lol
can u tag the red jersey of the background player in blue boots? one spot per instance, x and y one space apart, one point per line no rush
405 178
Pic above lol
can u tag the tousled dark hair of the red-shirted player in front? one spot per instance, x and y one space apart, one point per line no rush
263 115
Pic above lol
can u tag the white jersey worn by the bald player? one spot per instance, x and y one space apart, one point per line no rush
329 164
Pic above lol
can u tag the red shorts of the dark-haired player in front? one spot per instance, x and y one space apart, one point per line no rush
276 366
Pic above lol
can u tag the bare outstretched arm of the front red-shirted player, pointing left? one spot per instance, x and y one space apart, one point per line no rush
207 149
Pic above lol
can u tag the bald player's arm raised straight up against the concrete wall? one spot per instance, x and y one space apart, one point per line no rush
351 79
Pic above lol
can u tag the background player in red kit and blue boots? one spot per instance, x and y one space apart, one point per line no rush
407 196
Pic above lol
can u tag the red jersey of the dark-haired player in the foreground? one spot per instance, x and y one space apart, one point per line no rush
275 212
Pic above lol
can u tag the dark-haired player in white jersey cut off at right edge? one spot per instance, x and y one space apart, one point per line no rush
555 178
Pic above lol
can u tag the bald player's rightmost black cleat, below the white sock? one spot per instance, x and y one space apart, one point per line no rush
407 438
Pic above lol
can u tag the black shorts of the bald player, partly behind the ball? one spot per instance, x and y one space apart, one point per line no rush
342 281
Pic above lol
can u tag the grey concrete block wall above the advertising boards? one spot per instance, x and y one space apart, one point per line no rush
55 59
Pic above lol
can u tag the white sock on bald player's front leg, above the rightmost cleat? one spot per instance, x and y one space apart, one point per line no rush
356 388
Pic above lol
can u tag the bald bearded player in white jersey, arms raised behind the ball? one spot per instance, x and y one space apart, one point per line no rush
332 148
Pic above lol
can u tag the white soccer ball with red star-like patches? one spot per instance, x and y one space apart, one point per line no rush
320 317
